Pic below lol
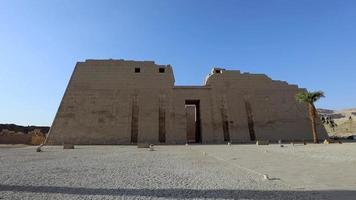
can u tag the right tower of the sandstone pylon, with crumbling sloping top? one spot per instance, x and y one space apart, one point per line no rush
257 107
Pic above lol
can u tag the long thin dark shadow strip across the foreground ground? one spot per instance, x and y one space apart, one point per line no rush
184 193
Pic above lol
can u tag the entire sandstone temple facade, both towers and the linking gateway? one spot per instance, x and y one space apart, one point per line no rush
123 102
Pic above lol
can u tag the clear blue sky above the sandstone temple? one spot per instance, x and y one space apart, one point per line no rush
309 43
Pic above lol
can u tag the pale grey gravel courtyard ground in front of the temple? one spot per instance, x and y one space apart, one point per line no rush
178 172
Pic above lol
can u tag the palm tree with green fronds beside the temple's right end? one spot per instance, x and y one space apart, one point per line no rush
309 98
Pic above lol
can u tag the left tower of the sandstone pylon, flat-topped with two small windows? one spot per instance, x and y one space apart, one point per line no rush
107 101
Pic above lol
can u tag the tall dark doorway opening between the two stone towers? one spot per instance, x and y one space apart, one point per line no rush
192 110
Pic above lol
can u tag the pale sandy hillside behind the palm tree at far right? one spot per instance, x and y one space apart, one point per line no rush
345 121
